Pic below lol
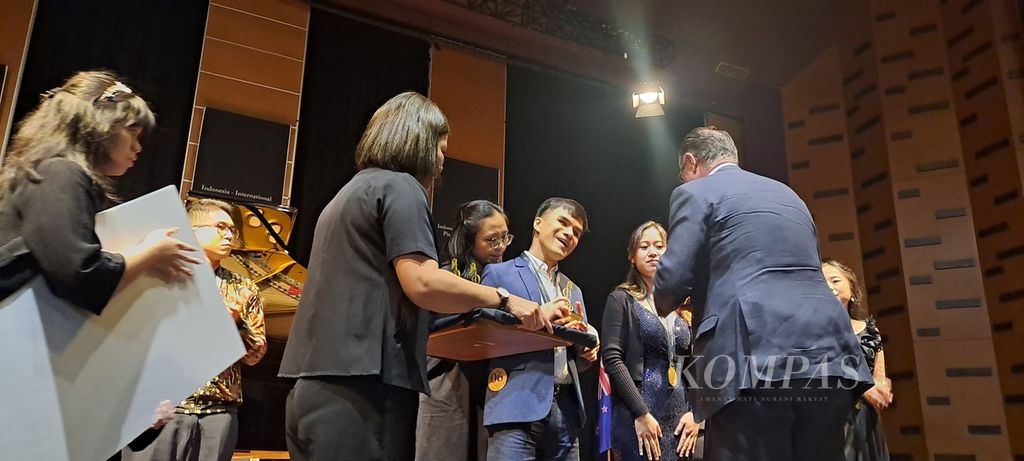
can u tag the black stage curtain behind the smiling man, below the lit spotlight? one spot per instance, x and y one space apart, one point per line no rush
573 139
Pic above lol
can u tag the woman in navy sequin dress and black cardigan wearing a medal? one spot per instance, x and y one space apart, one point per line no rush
642 351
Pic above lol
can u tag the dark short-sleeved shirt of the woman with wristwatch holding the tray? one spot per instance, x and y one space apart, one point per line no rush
354 318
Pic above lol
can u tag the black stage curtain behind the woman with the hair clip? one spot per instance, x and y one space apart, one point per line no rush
154 46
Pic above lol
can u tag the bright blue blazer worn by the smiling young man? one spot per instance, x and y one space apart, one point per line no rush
529 393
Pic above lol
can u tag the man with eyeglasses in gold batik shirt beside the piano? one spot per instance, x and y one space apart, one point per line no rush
205 426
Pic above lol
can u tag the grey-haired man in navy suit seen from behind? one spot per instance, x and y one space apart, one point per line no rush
777 366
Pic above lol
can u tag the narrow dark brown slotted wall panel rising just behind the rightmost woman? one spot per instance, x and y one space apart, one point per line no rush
865 87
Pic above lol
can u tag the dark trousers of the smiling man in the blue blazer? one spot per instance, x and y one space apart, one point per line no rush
556 438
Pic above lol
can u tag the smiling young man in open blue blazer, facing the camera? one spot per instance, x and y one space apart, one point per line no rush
534 405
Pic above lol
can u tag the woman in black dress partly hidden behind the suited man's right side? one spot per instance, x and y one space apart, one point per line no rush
866 441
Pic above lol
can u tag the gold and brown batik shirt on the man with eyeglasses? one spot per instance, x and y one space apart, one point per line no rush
225 391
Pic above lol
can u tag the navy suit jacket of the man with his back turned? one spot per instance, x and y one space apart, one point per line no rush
746 249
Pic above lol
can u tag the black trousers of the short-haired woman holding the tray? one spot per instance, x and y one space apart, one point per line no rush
351 418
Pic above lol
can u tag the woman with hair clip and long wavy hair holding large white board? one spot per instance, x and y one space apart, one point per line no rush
59 175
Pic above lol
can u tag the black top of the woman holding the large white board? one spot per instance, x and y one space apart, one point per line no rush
57 220
